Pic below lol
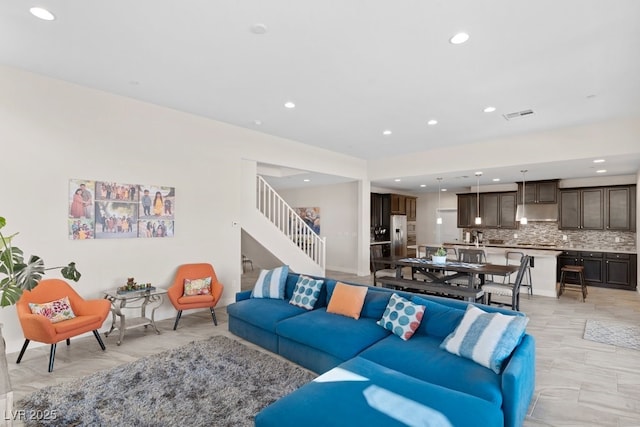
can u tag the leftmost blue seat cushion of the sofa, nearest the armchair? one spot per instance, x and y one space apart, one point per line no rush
263 313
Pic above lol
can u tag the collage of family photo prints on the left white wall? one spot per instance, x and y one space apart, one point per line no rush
115 210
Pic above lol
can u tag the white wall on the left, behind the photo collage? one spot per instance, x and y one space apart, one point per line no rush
51 131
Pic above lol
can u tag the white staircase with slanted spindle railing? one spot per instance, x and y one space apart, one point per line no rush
284 233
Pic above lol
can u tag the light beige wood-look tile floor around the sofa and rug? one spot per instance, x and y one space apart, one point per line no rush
579 382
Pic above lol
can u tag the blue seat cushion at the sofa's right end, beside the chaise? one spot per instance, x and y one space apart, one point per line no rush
421 357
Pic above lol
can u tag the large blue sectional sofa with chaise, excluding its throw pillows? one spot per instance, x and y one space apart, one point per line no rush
416 372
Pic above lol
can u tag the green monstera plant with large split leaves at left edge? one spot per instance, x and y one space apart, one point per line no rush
17 275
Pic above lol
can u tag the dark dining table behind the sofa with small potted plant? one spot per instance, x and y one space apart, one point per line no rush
451 269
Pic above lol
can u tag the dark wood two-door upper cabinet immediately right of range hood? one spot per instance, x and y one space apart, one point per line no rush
581 209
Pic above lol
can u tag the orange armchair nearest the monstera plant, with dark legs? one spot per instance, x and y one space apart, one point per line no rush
89 316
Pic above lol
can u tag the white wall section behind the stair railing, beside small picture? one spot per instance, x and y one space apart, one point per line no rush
339 219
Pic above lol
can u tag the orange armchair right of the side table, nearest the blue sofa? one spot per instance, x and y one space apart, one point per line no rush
182 302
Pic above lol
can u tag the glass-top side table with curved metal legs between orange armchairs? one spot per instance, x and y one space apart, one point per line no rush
151 297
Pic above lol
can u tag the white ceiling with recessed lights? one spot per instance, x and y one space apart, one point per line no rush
353 68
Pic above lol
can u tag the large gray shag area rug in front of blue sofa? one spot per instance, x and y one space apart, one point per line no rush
215 382
